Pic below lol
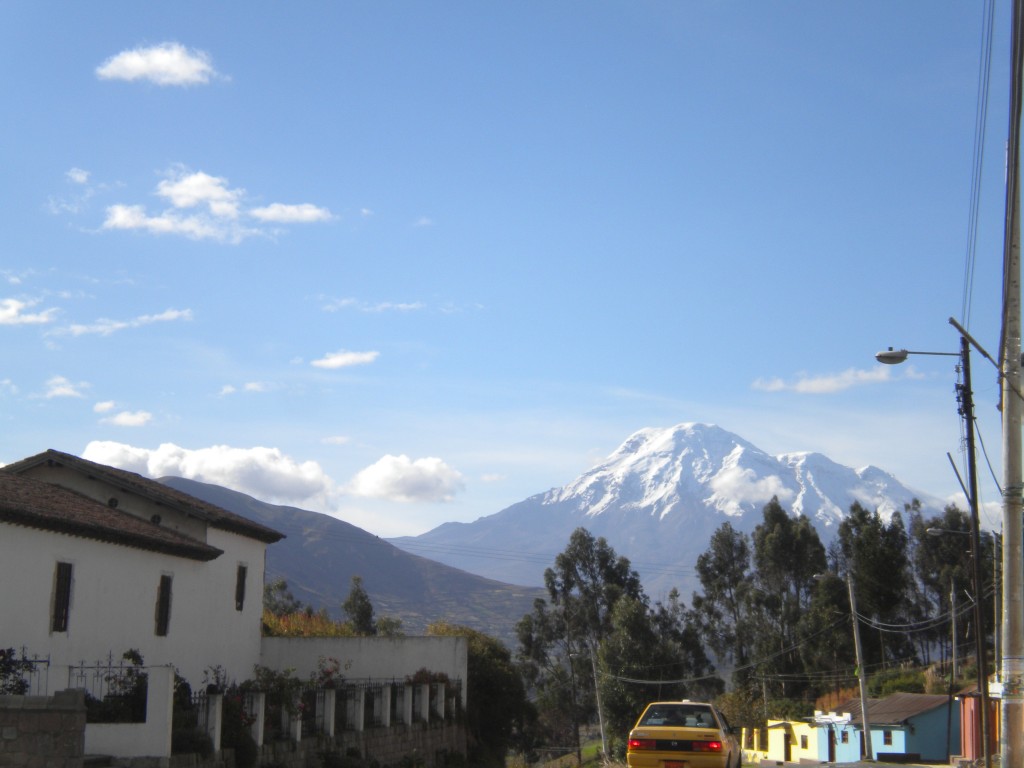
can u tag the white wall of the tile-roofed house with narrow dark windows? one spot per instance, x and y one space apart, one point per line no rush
114 599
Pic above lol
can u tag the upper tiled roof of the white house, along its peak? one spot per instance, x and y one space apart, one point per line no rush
157 492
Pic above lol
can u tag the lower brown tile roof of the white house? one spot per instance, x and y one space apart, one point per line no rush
35 504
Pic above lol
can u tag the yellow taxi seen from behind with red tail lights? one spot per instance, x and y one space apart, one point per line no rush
682 735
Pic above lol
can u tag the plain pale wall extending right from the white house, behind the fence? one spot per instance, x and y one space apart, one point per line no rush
377 658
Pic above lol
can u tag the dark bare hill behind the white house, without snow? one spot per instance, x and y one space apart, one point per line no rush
321 554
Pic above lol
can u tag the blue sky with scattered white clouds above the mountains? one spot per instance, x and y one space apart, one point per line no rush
413 263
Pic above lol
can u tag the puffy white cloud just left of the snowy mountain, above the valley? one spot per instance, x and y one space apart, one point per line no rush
399 479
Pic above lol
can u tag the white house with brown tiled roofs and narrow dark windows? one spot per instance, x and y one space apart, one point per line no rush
96 562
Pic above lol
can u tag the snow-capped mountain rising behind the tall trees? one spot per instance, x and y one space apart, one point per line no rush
657 500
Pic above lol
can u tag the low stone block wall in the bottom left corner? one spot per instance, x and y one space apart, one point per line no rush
44 733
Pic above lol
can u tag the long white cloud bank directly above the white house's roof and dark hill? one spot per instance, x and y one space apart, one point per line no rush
266 474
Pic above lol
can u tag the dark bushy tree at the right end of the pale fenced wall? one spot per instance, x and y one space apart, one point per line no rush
500 710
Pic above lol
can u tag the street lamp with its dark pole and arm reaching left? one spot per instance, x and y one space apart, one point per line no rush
966 399
